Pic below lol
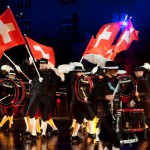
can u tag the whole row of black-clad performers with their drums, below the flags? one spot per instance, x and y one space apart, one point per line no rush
105 103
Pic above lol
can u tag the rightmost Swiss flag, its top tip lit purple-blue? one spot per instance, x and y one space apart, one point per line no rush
128 35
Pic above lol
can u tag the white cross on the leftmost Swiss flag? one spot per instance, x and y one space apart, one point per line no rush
4 31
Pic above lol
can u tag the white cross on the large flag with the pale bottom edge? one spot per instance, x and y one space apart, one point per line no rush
104 35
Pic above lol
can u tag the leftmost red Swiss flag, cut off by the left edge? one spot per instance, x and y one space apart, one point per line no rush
10 35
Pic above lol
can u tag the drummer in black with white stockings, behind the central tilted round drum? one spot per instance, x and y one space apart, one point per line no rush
81 110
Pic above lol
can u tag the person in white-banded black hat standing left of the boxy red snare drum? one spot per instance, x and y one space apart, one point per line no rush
108 133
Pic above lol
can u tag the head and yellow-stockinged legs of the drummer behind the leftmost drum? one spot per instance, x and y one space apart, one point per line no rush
9 112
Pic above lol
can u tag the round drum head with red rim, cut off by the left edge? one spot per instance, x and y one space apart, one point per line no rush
9 92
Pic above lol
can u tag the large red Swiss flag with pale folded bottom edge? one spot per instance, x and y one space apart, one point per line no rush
102 44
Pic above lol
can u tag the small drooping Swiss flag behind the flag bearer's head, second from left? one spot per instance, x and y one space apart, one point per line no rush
41 51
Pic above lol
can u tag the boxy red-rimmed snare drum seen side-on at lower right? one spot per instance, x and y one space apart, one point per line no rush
130 120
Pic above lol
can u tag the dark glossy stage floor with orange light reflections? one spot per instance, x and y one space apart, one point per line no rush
11 140
